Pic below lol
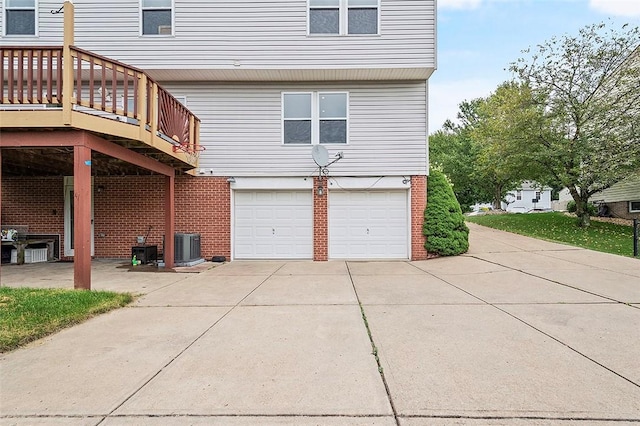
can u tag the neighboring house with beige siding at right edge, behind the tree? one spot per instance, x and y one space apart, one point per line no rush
622 199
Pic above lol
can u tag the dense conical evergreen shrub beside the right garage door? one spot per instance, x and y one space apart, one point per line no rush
444 227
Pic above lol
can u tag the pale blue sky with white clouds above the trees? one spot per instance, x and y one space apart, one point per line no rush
478 39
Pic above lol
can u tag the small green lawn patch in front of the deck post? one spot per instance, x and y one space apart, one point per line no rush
27 314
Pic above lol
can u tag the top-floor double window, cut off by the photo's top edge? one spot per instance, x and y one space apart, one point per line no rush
344 16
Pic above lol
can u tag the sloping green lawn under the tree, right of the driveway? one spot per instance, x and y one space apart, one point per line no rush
600 236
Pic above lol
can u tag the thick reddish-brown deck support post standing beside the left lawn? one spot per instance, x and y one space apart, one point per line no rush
82 217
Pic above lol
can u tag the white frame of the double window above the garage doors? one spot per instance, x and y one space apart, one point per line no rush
315 117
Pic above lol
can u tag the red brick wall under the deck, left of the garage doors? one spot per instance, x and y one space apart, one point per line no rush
125 207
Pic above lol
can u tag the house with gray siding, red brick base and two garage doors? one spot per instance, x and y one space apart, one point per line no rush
266 82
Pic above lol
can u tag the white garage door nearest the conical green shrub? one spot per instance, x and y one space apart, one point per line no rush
368 225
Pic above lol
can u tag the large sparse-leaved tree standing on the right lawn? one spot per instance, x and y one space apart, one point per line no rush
586 89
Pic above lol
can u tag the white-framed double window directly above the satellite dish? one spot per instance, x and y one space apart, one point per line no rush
314 117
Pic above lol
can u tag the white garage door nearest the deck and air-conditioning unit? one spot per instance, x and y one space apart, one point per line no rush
273 225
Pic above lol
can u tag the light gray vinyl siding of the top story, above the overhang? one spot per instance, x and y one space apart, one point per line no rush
259 34
